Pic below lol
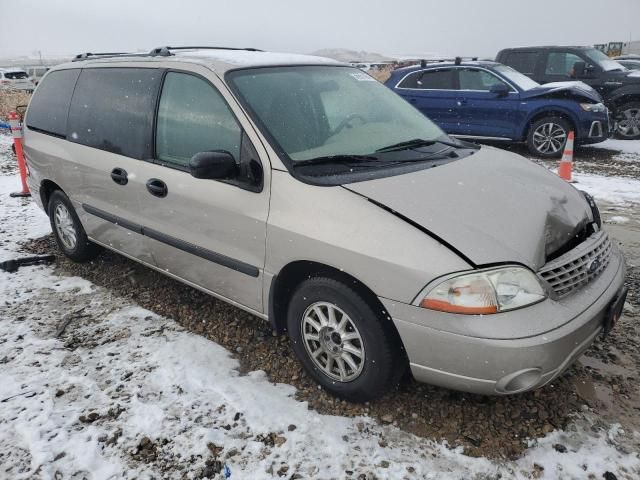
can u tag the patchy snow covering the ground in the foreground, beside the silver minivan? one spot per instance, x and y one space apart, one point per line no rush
123 393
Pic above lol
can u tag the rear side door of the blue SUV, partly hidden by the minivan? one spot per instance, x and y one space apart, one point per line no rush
432 92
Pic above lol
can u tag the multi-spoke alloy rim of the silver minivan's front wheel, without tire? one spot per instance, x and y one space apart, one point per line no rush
333 341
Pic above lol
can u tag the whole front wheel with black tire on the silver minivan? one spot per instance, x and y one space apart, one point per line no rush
381 362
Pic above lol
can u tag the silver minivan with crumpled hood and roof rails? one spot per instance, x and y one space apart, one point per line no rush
305 192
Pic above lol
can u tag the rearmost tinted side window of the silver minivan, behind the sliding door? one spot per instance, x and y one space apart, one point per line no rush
49 106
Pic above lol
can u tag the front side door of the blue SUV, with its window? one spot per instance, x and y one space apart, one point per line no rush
483 112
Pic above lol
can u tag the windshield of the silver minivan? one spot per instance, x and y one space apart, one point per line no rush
314 112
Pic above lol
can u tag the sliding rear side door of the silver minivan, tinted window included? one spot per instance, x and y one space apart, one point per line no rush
109 128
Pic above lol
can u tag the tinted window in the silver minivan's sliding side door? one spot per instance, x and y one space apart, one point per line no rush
112 109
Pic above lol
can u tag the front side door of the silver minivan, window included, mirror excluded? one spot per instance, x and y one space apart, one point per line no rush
208 233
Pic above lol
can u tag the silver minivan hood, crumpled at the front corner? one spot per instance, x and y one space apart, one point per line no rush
492 206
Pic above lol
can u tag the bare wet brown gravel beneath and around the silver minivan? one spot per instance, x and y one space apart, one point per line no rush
604 382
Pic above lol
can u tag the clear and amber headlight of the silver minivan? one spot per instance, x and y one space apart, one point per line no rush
485 292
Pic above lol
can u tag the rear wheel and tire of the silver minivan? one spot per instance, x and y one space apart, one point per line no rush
68 231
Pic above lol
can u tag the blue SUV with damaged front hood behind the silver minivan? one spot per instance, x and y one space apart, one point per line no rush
489 101
